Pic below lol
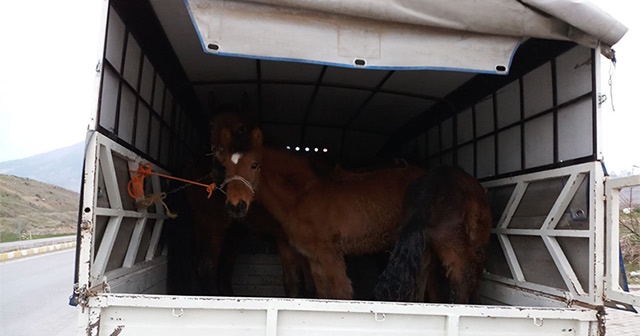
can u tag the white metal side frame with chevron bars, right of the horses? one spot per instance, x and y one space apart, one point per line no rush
593 295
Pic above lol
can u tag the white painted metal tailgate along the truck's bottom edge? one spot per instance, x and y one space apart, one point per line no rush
169 315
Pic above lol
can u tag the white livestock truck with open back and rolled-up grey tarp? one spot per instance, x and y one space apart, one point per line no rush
508 90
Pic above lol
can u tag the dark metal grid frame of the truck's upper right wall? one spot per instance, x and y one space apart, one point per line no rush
448 147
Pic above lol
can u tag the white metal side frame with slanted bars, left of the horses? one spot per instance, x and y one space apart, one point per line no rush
93 259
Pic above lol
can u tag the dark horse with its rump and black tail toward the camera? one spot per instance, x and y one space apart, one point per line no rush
442 244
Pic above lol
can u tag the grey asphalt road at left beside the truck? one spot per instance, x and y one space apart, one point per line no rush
34 295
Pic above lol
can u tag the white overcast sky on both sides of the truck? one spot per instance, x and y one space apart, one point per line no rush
50 51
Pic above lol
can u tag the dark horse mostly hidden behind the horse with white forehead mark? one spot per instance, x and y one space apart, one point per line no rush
218 236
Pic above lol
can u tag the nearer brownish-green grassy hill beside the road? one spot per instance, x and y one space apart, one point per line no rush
33 208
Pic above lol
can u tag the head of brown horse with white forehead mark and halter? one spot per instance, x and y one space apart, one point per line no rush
241 160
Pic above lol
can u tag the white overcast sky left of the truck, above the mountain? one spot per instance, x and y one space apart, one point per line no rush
47 74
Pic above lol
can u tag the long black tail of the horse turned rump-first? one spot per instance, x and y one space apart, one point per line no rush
400 281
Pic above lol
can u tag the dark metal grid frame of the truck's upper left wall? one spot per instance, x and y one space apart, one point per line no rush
165 109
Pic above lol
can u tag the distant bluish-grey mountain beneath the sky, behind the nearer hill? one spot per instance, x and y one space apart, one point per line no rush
61 167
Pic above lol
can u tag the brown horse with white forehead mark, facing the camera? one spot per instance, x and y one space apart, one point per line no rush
324 218
